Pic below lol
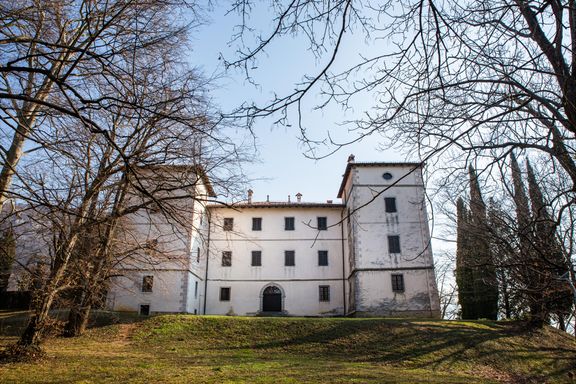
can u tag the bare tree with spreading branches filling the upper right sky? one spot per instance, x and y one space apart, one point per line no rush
480 76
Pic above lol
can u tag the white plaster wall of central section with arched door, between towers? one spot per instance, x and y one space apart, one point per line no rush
300 282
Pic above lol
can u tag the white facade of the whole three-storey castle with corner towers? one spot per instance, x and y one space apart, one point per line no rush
367 256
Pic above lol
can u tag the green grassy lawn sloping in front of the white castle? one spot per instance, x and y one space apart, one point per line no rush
191 349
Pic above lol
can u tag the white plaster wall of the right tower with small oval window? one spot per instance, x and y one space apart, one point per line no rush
372 262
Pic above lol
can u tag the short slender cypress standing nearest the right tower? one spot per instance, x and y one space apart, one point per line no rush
464 276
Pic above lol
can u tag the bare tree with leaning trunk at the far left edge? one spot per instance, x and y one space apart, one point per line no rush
53 51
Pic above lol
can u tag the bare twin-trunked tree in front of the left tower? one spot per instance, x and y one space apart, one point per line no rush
126 105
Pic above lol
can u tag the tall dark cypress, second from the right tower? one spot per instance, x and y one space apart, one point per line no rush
483 268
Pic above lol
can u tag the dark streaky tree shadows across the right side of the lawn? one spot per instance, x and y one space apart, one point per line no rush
429 345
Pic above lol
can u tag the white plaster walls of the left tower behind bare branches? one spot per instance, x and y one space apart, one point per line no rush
173 262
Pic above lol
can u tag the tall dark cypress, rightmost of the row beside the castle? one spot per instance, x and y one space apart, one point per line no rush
556 294
